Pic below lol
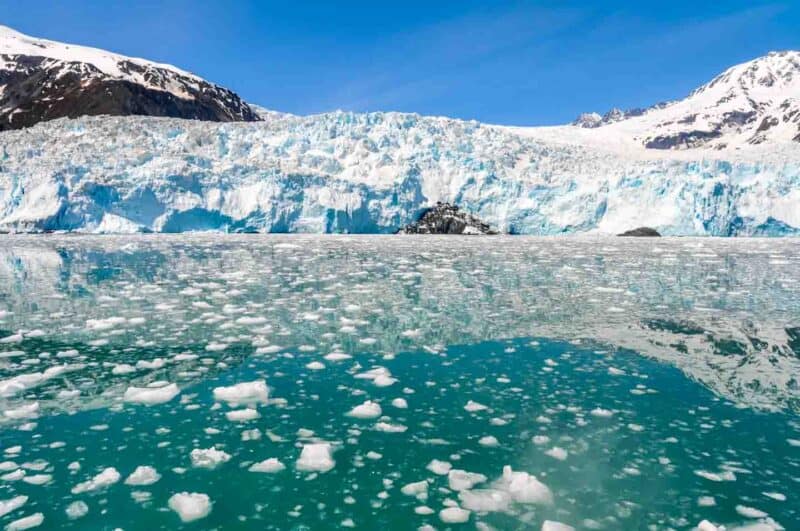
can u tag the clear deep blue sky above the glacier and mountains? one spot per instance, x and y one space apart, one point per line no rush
524 63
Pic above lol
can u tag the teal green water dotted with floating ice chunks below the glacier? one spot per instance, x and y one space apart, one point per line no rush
306 382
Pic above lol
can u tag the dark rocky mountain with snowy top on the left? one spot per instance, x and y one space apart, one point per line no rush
41 80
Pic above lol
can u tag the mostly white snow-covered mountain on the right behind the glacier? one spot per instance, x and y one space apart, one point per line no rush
750 103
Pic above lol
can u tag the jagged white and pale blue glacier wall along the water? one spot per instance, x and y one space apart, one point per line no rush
345 172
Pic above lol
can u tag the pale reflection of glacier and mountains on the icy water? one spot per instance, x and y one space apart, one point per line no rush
723 311
